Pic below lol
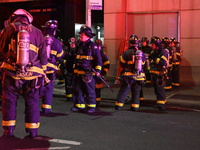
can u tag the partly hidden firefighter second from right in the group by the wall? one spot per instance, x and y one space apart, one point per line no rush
165 44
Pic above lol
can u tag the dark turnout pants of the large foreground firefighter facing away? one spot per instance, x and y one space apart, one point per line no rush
11 90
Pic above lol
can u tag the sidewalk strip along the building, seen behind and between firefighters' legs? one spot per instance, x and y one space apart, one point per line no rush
187 98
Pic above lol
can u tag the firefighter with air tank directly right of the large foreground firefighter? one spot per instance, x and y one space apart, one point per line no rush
54 53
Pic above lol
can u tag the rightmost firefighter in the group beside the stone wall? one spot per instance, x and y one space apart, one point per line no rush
176 60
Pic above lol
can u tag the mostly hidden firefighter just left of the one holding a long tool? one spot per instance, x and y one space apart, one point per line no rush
68 69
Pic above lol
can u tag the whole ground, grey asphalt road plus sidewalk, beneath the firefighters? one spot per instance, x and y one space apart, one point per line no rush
107 129
